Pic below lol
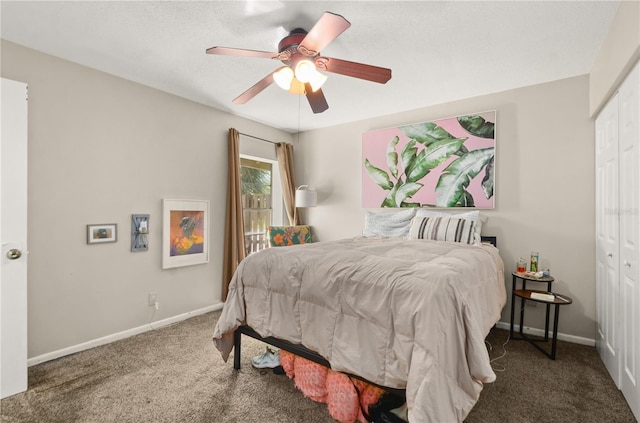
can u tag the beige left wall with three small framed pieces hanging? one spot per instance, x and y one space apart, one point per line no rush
100 149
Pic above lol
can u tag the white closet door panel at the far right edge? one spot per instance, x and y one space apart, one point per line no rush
629 135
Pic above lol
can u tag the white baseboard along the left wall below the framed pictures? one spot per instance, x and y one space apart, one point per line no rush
122 335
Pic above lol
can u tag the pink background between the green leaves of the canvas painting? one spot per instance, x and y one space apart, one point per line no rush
374 146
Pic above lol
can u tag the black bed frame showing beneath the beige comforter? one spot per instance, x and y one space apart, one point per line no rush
301 350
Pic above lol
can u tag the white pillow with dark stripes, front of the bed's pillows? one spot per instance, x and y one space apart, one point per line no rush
443 229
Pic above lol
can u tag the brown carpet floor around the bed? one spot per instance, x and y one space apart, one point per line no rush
174 374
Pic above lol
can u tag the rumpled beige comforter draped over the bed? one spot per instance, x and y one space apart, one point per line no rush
401 313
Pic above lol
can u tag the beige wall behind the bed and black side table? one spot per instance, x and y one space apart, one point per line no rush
544 186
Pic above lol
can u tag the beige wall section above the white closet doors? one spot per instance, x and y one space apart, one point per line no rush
618 54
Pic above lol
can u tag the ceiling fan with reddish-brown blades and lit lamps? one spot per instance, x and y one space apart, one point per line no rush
300 53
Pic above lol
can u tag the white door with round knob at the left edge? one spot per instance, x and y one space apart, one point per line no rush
13 233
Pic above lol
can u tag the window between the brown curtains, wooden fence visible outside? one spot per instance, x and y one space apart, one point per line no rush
261 200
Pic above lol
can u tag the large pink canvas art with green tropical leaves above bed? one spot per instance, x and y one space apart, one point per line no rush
443 163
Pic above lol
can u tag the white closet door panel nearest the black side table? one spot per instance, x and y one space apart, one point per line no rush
607 259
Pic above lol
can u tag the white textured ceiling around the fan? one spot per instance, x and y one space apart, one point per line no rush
439 51
